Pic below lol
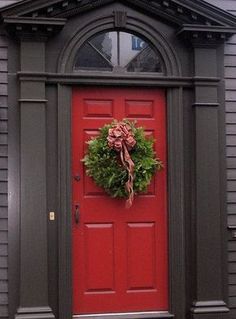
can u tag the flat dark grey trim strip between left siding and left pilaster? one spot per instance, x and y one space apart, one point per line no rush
14 189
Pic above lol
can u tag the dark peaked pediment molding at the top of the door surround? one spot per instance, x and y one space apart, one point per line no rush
178 12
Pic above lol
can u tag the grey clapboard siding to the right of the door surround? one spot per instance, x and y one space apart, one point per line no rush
230 104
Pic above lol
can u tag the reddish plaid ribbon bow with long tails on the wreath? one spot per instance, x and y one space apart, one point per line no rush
121 139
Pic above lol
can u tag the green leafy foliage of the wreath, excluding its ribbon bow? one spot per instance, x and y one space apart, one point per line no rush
104 166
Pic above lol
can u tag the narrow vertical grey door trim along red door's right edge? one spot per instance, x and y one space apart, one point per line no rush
177 272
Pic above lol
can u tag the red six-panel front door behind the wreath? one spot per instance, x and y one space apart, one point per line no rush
119 255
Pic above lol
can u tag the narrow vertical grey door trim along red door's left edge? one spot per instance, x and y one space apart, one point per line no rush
64 199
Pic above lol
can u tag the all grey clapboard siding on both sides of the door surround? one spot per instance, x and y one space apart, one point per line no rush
230 75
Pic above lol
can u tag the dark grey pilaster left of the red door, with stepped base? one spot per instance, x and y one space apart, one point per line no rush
33 198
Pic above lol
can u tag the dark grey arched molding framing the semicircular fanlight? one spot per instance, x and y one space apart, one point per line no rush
170 62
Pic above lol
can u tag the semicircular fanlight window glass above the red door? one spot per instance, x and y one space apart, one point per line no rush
118 52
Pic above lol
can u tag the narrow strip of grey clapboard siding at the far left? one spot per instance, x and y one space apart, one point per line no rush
3 179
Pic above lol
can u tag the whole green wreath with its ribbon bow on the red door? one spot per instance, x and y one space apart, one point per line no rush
110 171
